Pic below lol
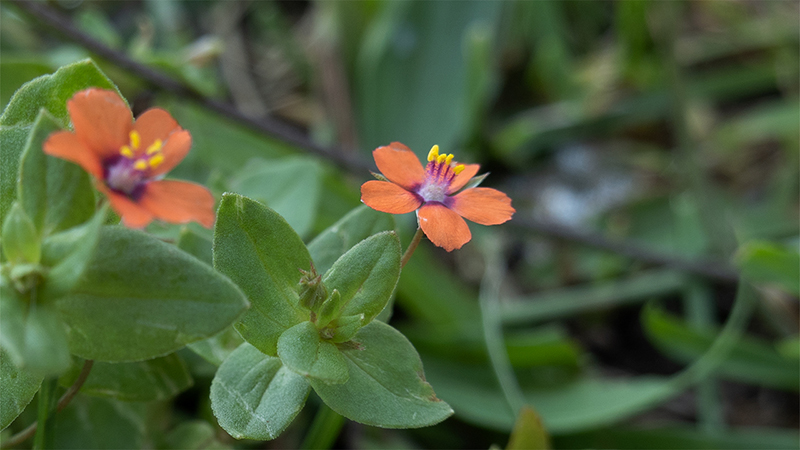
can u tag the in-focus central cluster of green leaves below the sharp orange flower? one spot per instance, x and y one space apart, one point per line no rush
374 378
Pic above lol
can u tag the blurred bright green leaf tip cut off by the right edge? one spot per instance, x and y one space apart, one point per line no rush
766 262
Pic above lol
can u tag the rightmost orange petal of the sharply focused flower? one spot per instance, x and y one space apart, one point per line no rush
485 206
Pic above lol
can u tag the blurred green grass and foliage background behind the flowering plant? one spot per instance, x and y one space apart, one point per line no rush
641 142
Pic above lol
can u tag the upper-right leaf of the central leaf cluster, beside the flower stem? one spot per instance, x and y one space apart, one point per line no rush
366 275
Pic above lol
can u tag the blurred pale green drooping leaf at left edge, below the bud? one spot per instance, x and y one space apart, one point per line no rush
33 336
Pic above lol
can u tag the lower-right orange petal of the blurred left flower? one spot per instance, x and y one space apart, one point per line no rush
179 202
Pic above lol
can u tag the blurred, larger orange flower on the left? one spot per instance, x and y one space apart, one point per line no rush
128 159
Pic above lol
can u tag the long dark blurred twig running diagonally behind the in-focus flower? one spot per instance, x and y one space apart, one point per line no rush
353 164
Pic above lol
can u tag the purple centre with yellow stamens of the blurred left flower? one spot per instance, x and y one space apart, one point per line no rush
129 171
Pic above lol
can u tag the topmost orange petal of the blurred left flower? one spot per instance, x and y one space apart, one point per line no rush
101 120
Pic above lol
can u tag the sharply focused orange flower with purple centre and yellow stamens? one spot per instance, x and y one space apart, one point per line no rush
430 191
